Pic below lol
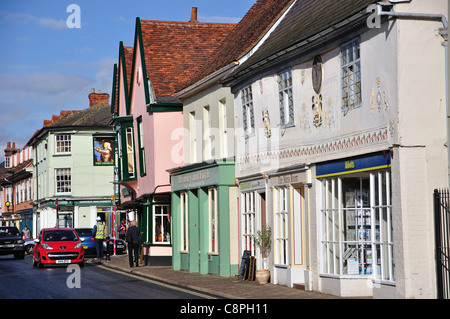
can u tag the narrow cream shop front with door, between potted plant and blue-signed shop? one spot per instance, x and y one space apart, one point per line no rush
290 213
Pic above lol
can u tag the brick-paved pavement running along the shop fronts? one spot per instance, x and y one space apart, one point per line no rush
222 287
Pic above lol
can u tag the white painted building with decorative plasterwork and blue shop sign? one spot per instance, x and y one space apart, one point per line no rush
343 132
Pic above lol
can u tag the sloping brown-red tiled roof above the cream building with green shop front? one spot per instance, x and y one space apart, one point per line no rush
249 31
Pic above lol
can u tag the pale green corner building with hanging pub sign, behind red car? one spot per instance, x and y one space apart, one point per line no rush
74 167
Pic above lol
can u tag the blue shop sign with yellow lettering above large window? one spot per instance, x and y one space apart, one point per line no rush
354 164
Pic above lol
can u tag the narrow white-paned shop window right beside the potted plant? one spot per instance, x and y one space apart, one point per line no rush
281 231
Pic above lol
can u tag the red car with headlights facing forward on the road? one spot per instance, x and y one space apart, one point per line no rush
58 246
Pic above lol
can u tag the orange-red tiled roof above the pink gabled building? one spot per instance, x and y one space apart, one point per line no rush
174 51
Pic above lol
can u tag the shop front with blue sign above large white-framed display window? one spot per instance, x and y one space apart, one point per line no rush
355 224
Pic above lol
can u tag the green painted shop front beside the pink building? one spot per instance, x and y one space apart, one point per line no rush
205 218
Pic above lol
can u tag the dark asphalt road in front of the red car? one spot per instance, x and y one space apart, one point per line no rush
20 280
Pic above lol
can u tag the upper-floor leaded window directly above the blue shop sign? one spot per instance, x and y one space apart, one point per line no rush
351 75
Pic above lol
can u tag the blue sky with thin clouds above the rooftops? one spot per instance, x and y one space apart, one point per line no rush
53 53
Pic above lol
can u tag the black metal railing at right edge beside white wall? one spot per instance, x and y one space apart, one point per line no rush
442 234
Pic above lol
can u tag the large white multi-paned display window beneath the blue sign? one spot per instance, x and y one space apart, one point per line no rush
356 226
